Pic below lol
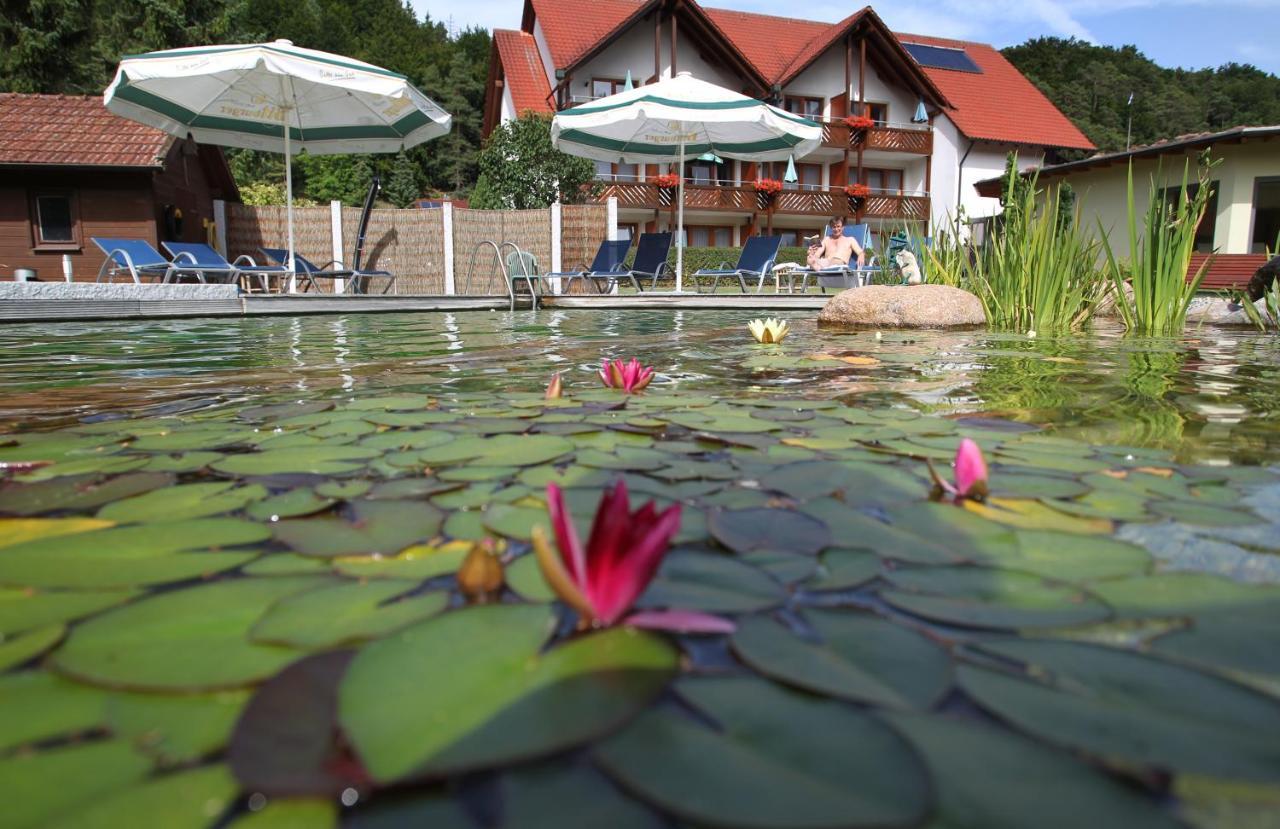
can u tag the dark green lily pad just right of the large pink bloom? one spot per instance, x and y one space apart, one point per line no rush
717 584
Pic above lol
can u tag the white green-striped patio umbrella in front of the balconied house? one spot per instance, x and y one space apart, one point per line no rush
678 120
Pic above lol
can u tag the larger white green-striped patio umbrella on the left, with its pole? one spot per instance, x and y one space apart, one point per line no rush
278 98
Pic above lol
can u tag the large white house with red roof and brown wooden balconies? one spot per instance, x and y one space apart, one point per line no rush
945 113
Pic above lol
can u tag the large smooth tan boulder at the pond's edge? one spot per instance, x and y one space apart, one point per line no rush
904 306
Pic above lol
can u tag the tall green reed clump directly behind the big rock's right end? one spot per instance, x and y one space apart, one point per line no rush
1036 271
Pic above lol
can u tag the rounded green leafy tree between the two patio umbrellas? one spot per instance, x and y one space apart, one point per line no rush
520 170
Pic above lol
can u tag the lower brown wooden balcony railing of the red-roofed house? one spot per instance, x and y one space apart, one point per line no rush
744 200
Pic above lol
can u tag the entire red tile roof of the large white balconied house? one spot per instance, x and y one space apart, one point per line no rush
999 104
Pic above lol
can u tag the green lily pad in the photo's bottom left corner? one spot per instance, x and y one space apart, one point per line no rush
58 781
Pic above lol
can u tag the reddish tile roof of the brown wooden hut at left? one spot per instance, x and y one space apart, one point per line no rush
75 130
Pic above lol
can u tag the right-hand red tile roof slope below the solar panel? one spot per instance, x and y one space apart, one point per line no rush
1000 104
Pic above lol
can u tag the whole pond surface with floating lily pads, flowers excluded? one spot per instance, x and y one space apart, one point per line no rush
228 594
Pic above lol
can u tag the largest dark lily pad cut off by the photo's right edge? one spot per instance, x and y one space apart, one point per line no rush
1127 707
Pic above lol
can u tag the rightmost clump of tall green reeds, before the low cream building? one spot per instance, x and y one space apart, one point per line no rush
1160 255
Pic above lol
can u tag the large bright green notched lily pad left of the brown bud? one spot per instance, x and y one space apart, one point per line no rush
184 640
